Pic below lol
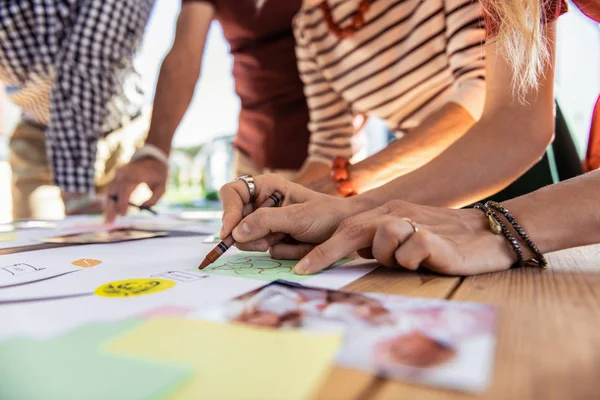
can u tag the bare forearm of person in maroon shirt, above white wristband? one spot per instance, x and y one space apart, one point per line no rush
174 92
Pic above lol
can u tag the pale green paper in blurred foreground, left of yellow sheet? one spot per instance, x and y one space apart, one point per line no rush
75 366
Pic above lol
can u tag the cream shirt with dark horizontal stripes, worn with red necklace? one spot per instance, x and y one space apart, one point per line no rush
409 59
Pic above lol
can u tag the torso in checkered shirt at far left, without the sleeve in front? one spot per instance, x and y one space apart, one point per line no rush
34 36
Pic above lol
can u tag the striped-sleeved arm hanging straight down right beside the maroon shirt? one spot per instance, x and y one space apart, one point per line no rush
330 116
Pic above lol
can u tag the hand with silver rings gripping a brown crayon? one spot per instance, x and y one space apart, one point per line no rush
306 216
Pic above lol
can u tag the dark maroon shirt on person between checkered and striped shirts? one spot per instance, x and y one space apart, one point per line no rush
273 121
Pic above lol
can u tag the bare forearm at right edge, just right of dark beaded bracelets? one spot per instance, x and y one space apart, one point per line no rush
563 215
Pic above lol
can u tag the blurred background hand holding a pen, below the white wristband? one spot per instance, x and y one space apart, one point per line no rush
146 170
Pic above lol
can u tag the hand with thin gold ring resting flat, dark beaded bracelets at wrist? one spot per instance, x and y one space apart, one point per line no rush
455 242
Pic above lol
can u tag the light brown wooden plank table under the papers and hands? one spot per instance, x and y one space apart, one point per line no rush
548 337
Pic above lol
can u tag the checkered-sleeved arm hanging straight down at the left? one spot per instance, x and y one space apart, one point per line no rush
88 72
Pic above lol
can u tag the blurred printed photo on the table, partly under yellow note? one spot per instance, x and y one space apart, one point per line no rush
435 342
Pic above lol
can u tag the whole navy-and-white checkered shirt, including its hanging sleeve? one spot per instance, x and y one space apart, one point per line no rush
69 65
